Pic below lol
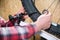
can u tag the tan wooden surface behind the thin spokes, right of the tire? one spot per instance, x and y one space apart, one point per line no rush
44 4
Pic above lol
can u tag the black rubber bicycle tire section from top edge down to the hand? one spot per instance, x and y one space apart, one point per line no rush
31 9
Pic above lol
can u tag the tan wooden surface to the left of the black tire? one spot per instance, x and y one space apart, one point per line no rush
9 7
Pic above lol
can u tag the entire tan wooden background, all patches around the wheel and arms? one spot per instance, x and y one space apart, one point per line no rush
13 6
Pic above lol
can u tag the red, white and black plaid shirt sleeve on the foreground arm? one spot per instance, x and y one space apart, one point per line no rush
17 32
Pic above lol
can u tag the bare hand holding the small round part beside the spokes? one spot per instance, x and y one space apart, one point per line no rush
43 22
